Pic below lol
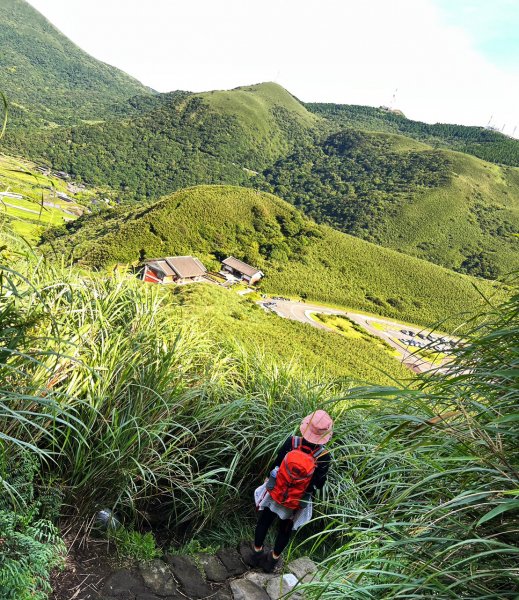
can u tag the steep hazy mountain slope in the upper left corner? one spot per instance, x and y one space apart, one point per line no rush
47 78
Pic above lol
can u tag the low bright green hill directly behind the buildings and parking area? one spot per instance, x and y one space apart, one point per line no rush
298 257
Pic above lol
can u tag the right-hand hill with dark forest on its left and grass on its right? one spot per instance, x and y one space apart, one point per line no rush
447 207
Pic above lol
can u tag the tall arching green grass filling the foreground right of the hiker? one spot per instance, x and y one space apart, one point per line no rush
431 508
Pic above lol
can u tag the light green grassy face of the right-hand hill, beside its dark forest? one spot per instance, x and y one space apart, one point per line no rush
477 214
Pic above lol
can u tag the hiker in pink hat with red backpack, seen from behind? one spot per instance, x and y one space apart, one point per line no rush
299 469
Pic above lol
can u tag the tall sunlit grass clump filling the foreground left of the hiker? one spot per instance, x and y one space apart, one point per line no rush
148 415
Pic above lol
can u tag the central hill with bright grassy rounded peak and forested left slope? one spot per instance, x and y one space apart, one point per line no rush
176 140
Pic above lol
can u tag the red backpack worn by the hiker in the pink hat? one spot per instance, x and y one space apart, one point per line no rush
295 473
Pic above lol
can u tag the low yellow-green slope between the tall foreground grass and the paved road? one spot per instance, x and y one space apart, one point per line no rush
230 320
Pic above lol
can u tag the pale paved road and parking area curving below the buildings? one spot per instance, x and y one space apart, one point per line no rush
301 311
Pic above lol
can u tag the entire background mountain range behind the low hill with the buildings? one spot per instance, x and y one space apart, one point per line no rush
369 172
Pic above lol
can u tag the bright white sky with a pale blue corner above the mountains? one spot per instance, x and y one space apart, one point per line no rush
454 61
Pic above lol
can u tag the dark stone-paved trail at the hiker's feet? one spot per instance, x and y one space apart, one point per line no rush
223 576
